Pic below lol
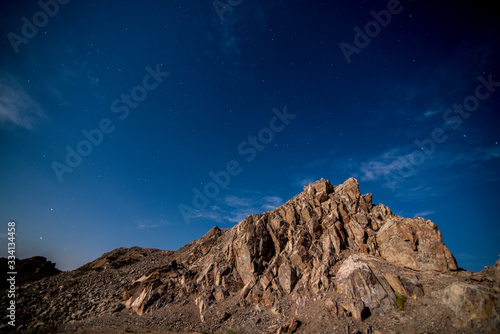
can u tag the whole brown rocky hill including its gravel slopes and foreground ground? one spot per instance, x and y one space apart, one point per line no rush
327 261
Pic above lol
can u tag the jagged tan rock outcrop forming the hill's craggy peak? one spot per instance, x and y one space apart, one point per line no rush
294 249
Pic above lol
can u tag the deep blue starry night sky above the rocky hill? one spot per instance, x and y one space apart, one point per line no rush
146 123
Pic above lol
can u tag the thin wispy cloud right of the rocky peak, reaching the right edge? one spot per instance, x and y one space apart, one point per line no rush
393 169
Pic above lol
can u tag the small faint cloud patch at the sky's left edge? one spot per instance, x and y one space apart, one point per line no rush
17 108
